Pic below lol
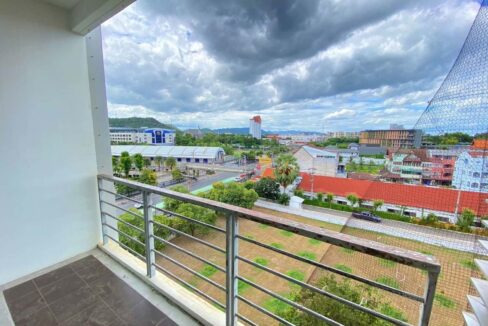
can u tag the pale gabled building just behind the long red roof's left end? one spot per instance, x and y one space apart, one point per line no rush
317 161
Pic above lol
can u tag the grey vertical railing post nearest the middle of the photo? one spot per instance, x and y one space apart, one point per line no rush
232 230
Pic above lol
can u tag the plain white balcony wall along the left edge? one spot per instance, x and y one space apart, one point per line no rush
48 162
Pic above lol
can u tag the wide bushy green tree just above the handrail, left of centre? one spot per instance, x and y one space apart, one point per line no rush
232 193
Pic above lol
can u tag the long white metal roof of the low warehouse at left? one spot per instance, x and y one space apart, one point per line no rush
167 151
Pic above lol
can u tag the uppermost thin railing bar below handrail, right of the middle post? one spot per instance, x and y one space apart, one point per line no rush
338 271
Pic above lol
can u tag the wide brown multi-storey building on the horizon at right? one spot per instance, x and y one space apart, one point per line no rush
398 138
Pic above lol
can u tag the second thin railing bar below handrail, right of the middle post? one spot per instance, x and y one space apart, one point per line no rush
325 293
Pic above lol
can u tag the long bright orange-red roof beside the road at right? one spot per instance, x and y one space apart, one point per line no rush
439 199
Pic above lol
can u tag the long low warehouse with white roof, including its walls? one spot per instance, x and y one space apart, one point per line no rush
182 154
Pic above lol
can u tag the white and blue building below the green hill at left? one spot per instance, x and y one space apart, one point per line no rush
153 136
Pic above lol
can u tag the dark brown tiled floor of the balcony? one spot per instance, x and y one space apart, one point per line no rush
84 292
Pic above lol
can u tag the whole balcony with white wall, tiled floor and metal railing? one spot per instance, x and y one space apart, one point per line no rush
65 258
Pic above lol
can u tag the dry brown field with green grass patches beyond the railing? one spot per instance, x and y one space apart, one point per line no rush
450 300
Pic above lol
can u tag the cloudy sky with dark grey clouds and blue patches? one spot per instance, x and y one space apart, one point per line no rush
304 65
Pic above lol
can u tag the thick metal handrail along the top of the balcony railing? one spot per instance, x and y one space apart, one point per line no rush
402 256
